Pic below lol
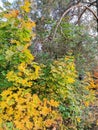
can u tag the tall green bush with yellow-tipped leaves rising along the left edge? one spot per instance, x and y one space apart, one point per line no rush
15 57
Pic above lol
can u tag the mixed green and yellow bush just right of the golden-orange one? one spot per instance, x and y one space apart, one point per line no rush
59 81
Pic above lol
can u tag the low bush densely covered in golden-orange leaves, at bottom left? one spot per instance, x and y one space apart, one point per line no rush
21 110
